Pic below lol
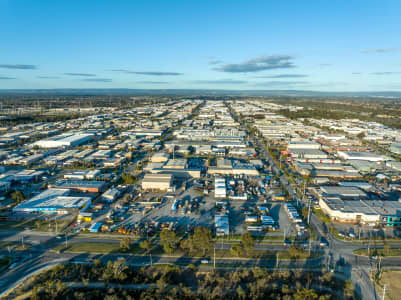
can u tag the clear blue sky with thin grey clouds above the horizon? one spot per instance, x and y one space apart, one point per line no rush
257 45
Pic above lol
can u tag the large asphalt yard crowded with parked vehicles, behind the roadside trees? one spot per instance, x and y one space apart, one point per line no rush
190 205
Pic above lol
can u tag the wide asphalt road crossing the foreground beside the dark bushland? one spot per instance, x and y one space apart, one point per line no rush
39 256
